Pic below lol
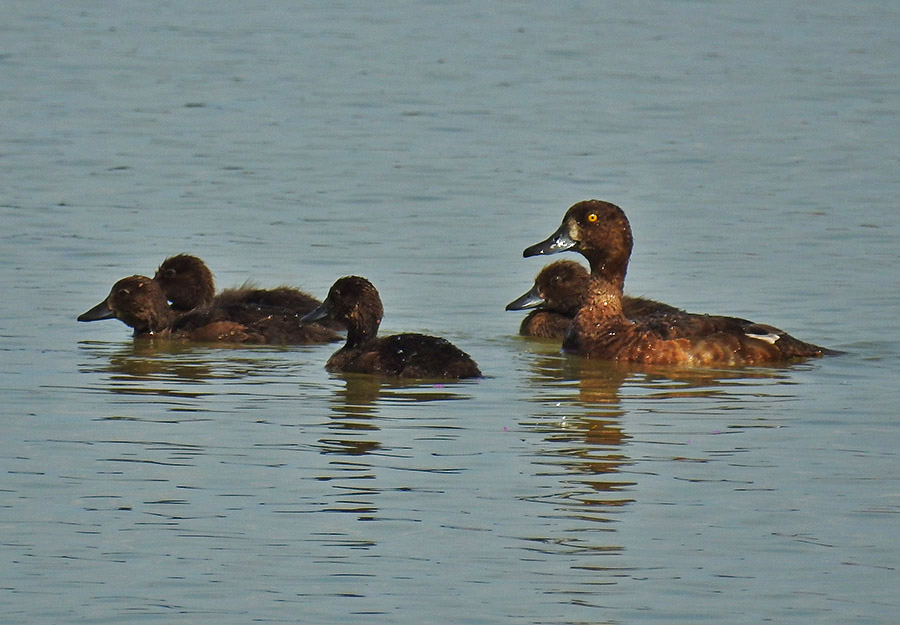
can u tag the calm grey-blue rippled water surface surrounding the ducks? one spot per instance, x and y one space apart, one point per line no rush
424 145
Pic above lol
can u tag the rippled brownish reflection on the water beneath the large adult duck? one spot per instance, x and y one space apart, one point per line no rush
579 410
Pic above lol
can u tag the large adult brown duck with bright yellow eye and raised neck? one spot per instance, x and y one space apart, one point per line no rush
600 232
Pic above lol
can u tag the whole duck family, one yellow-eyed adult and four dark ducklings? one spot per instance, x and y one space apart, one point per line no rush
587 311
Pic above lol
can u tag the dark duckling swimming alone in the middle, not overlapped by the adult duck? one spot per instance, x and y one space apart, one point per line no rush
355 302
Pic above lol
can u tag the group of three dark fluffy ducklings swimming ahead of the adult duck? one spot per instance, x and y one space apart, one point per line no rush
179 302
